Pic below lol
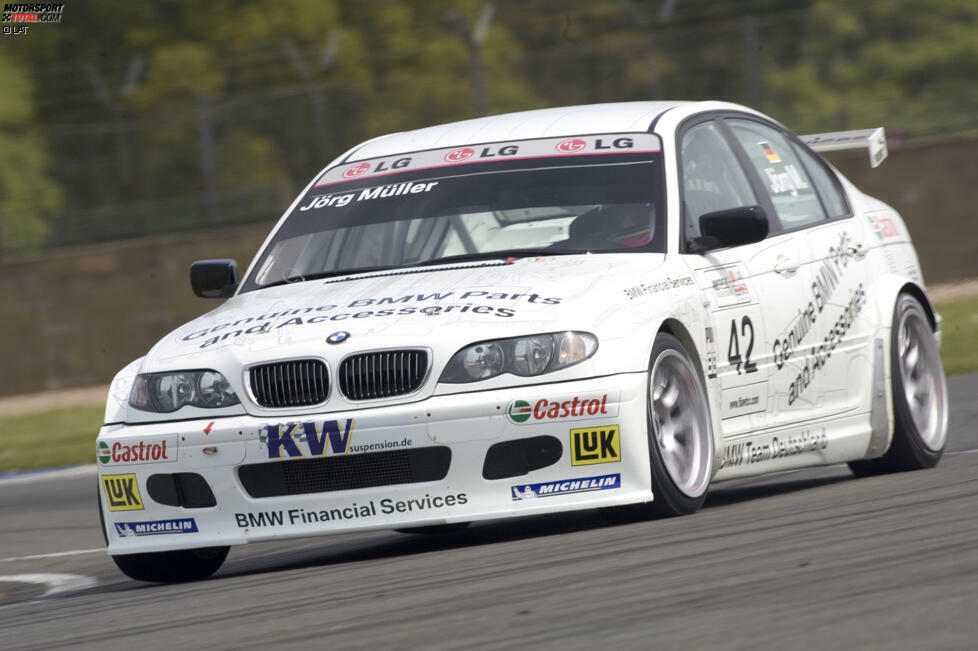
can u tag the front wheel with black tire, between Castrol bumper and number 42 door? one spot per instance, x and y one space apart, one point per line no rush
680 436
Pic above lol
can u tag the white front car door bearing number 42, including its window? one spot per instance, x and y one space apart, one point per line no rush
748 286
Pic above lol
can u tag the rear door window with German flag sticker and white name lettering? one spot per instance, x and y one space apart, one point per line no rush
782 173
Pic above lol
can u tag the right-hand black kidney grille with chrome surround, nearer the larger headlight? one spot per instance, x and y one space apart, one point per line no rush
383 374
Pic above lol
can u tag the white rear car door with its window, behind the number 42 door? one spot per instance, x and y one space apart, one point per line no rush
816 334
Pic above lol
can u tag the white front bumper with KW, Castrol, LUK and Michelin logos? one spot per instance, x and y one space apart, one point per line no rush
605 468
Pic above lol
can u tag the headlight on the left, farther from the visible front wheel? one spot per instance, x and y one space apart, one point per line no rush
166 392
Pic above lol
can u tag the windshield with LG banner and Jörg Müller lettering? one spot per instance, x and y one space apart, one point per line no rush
552 196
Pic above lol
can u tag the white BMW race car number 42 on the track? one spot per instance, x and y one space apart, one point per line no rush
570 308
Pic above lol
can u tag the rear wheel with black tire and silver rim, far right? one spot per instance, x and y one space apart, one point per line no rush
919 390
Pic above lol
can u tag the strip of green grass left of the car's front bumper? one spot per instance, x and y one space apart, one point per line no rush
61 437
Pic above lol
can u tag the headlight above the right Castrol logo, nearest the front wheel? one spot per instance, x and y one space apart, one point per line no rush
523 356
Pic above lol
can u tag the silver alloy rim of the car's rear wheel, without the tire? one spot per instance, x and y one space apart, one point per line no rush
922 376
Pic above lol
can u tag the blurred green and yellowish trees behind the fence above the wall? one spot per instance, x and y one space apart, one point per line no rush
129 119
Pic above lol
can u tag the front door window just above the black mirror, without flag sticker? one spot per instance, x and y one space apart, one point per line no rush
712 179
